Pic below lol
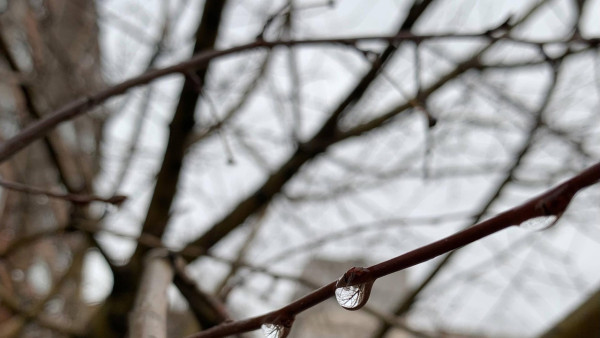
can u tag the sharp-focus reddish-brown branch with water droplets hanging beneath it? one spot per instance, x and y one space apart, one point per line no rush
552 202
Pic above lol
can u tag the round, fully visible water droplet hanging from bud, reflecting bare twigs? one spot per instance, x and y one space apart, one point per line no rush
352 296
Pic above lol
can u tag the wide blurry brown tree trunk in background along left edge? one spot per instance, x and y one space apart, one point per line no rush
50 49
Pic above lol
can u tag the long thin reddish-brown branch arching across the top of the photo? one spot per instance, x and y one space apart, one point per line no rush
77 107
